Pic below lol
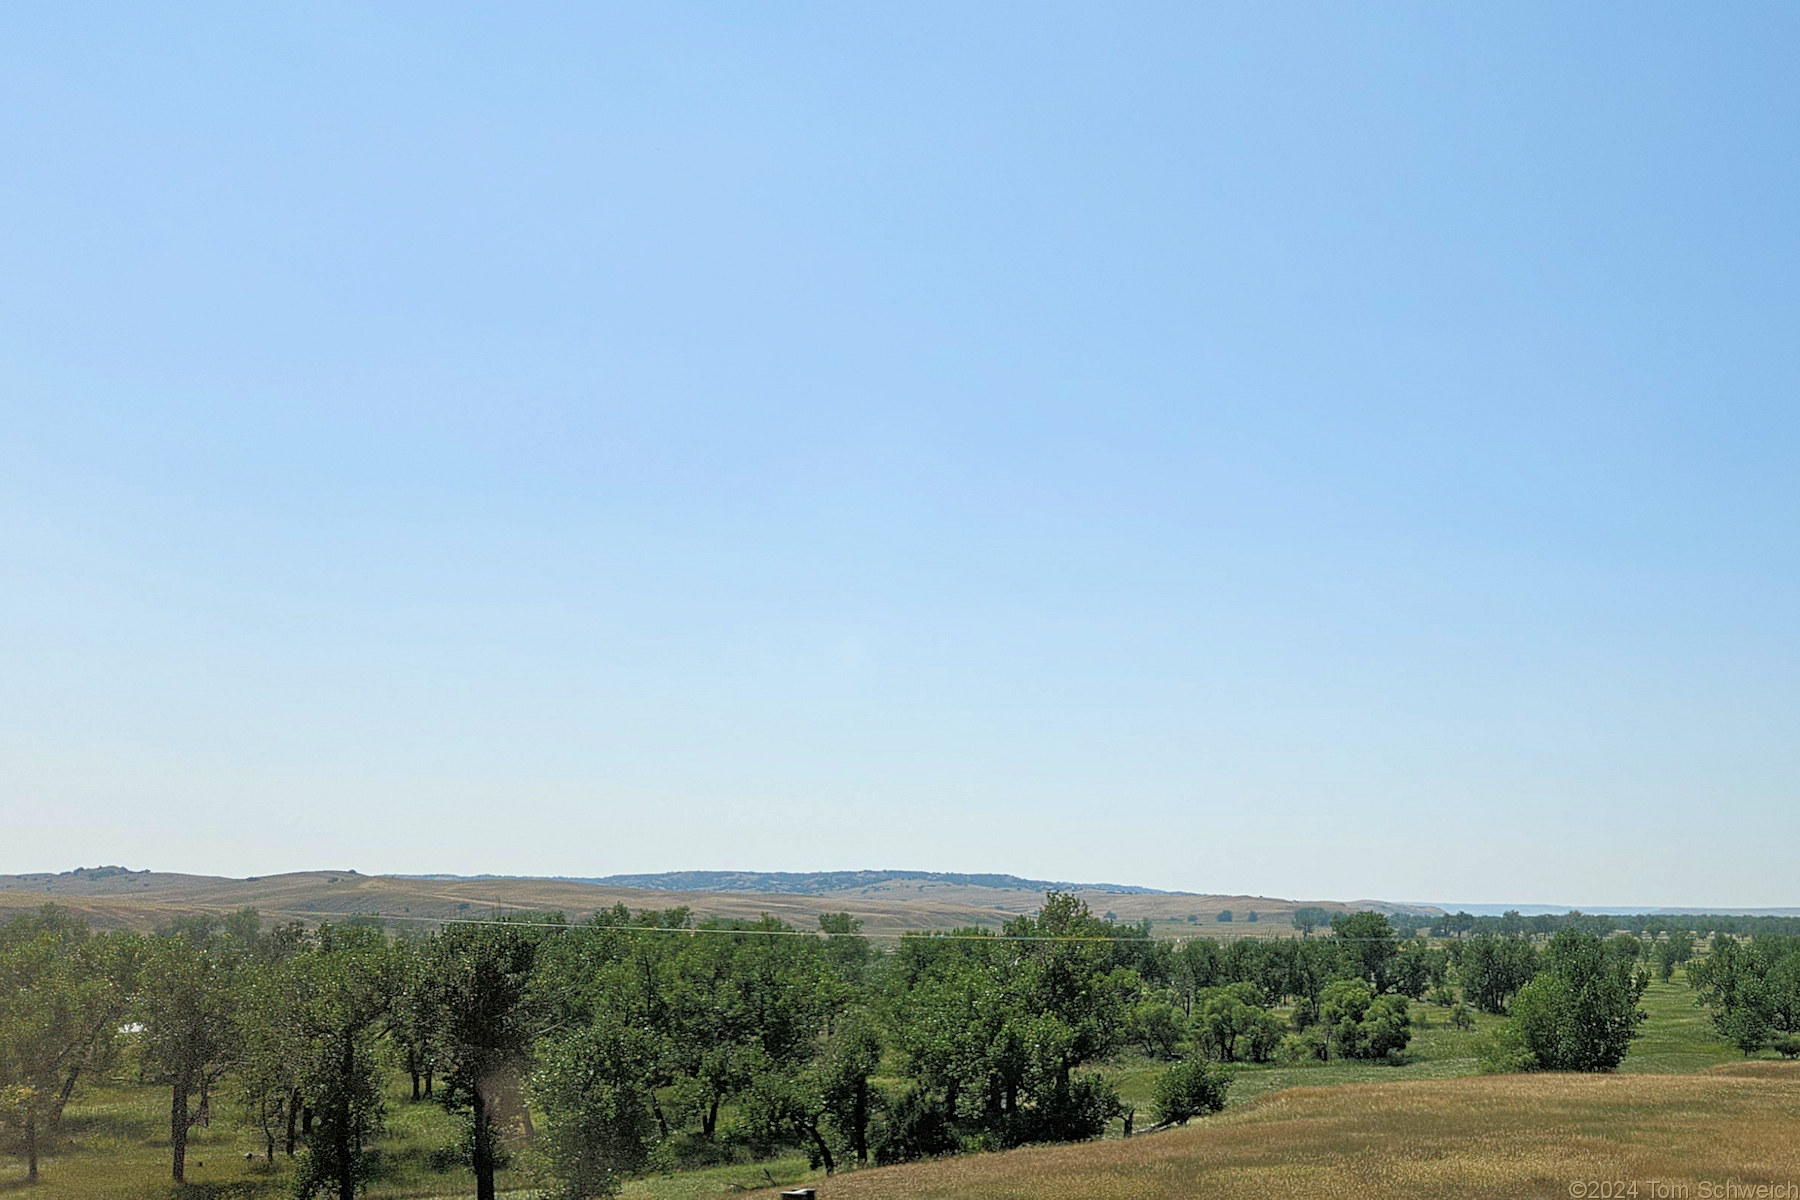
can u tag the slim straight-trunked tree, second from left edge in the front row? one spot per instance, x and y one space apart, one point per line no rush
186 1005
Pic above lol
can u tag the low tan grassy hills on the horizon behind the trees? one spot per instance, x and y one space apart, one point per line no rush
116 899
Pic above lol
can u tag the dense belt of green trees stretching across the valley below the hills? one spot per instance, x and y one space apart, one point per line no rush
591 1052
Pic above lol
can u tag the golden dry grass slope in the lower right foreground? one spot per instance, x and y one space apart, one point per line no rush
1491 1136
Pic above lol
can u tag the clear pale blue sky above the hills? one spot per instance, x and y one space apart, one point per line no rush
1308 451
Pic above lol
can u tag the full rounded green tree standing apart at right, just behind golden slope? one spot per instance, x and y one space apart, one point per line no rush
1581 1010
